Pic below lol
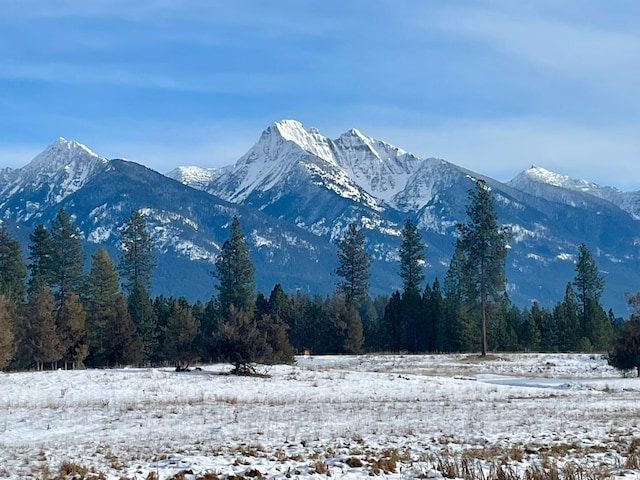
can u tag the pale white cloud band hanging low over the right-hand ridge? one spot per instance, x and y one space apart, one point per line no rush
503 148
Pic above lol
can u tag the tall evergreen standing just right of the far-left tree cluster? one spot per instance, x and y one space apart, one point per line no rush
138 262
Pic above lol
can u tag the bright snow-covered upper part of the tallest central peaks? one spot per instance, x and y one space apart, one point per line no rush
354 166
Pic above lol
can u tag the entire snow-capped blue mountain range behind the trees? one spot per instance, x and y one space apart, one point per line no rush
296 190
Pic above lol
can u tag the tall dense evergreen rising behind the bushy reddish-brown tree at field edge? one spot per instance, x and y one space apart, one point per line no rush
235 272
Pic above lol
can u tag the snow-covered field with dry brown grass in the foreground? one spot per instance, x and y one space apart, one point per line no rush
507 416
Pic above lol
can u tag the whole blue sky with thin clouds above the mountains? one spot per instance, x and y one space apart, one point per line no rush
493 86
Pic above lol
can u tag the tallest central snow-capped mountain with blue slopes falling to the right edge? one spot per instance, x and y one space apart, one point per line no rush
299 175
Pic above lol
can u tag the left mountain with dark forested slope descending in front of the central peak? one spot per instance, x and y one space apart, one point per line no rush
188 226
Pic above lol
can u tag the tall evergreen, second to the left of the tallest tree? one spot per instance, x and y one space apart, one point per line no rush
353 265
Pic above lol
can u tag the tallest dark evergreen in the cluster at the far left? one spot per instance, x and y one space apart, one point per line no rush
67 255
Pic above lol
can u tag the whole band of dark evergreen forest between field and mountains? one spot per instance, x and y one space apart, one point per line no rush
54 313
